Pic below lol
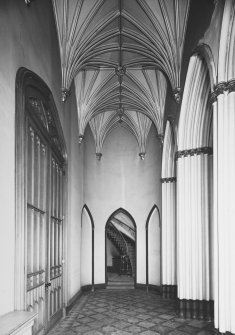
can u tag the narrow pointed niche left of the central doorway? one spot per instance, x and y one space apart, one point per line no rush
87 249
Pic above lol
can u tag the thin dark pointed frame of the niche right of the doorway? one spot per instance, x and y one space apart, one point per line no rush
154 208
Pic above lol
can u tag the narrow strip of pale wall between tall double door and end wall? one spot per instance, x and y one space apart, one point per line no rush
75 201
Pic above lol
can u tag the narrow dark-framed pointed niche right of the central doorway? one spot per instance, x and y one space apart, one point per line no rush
153 248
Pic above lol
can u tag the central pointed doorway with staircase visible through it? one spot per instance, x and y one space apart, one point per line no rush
120 251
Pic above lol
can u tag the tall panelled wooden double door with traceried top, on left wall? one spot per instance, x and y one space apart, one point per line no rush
44 226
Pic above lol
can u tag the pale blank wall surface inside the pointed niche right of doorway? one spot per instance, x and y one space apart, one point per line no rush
154 249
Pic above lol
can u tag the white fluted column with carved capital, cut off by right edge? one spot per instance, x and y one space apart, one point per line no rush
223 99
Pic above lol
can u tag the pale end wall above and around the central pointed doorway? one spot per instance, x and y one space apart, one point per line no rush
121 179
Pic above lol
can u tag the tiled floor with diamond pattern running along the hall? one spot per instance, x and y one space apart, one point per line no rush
127 312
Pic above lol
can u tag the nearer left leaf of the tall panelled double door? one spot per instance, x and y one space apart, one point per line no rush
36 226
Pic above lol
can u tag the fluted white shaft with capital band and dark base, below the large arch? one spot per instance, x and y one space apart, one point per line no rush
193 233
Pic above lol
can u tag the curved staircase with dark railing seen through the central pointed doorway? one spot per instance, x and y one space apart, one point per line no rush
125 245
